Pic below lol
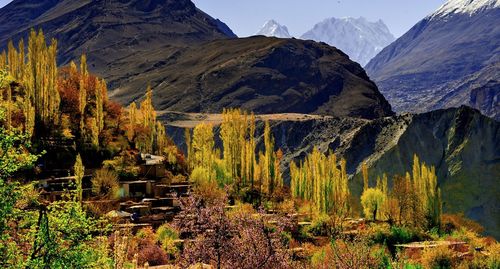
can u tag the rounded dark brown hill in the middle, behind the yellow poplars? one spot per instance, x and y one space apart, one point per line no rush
261 74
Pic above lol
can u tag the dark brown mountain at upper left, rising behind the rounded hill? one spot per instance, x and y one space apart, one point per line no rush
110 29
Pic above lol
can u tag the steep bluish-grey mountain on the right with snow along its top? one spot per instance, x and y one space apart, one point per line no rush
451 57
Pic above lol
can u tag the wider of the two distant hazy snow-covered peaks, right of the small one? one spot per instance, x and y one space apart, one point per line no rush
358 38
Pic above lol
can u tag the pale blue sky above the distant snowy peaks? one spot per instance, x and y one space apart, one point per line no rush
245 17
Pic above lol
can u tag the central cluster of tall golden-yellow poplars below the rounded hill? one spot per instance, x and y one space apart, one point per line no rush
238 165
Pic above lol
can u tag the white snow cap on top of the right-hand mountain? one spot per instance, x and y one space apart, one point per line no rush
465 7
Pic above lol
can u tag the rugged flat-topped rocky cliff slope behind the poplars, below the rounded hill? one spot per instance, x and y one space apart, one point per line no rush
461 143
